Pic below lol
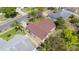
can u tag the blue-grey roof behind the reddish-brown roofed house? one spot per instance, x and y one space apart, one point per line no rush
61 13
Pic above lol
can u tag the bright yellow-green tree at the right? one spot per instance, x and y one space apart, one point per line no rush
71 39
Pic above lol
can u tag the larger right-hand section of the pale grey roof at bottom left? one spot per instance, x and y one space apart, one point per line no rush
20 42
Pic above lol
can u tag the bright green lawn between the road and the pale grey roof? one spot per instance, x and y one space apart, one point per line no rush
7 35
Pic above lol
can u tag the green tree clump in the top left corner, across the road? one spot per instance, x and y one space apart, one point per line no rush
9 12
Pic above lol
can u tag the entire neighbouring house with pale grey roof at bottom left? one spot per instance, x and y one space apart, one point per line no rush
18 43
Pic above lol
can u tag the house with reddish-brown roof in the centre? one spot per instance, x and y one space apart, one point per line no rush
42 29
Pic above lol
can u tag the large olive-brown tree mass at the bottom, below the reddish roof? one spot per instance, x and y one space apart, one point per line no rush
52 44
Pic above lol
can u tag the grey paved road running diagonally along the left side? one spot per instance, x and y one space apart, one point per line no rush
5 25
